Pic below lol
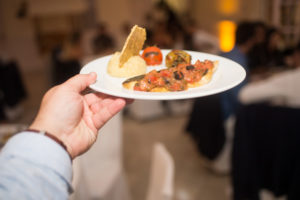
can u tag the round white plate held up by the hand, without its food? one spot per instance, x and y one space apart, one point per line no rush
228 75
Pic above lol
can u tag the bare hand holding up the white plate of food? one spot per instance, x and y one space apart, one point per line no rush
73 117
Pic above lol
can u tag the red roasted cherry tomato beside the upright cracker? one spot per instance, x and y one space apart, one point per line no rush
152 55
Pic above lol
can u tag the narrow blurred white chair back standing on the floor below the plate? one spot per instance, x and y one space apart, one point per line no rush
161 184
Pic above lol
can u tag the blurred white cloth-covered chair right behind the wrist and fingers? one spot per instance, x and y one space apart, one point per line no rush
99 174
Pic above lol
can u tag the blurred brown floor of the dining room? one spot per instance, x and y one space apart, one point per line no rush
193 181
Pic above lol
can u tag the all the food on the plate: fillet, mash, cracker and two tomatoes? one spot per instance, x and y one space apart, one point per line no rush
178 74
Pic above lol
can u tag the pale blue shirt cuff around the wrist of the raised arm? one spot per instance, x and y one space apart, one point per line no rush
40 150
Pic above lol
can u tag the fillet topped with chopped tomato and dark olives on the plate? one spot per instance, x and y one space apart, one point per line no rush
179 78
